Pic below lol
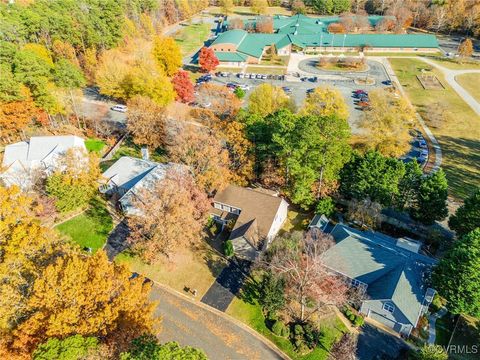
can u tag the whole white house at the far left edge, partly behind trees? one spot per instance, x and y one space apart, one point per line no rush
26 161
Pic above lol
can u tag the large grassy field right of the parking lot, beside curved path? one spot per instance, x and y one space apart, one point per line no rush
458 135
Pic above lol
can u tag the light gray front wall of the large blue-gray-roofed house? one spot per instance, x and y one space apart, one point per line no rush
396 320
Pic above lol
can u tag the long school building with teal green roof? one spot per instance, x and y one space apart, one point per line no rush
238 47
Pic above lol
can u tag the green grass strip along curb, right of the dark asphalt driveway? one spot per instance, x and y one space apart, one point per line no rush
251 314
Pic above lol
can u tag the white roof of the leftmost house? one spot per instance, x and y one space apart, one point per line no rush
40 148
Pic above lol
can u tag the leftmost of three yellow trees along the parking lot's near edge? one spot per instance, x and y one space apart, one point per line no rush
266 99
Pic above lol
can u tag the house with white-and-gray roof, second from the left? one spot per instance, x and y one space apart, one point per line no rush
129 177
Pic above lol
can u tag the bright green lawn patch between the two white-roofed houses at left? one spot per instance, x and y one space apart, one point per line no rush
89 229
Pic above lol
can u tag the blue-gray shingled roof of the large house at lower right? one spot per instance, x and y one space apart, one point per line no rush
391 272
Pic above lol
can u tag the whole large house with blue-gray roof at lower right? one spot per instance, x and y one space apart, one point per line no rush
391 271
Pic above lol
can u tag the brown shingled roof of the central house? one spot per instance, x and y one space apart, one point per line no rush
257 211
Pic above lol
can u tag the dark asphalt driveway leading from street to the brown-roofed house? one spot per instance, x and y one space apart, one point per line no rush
226 286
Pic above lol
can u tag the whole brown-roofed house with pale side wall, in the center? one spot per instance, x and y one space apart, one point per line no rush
257 214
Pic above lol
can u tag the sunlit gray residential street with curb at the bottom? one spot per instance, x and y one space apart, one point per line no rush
190 324
